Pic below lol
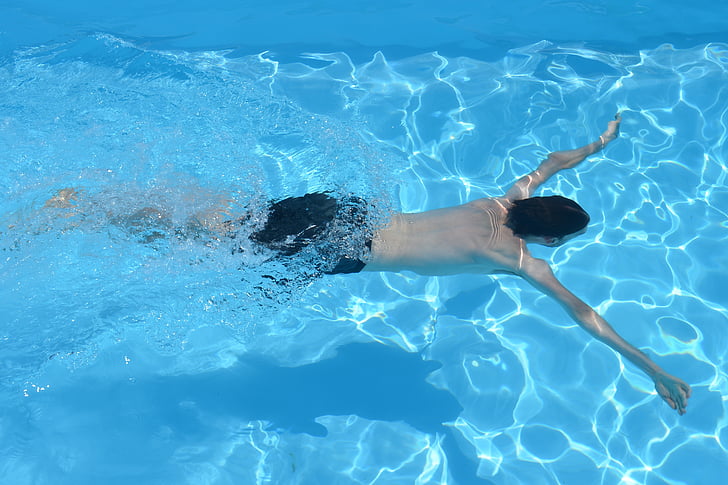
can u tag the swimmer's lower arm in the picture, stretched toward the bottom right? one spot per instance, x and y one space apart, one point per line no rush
673 390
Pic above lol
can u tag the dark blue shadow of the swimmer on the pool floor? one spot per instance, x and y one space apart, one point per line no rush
372 381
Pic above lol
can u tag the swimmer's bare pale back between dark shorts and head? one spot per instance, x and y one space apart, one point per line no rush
467 238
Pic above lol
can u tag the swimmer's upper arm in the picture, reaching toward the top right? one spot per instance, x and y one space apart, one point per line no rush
526 186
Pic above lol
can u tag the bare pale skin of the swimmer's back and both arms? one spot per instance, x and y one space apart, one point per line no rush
473 238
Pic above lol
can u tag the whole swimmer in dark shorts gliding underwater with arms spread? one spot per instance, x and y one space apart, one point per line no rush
486 236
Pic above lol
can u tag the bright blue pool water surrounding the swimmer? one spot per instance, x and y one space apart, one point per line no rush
131 358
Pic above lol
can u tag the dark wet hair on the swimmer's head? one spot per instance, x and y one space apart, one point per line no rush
552 216
